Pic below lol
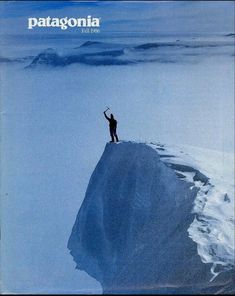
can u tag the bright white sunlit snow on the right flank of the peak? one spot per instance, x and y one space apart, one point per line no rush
213 226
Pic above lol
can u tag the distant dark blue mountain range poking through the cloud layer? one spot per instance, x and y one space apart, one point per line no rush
97 53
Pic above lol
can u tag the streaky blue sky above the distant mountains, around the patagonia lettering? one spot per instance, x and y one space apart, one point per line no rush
164 16
